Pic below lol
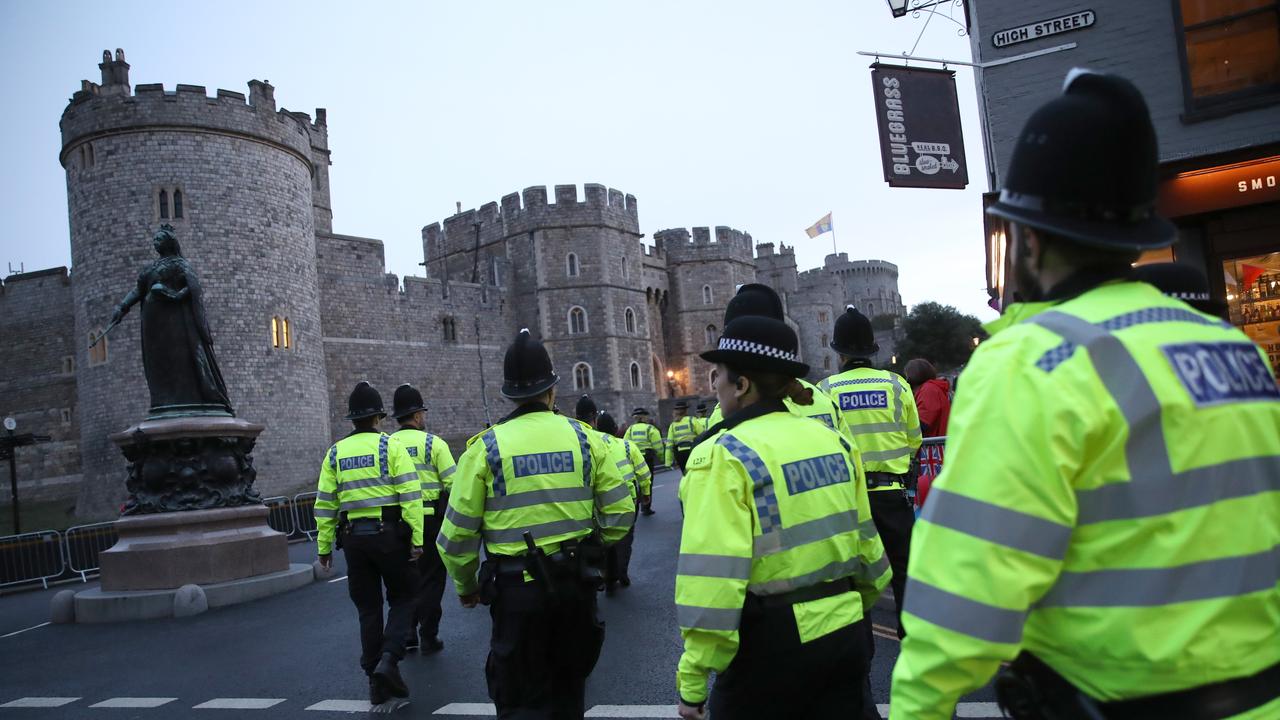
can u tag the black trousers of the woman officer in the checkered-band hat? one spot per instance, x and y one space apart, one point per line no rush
774 676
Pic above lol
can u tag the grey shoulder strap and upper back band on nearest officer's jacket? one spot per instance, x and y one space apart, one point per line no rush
1154 489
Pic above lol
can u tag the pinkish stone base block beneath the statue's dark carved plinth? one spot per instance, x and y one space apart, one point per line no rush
170 550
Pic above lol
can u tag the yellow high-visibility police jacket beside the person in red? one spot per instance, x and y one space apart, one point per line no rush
880 411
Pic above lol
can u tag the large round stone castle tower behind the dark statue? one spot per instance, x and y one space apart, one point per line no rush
236 181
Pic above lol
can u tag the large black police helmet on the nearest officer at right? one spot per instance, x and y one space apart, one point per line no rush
1085 168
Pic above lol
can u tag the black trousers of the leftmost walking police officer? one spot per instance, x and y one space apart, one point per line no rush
374 562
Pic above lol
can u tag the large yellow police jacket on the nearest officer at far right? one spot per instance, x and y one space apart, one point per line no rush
1109 504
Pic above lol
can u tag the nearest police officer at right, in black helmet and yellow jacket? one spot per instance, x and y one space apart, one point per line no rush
1108 517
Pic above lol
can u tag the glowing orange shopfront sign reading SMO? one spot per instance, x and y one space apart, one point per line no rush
1217 189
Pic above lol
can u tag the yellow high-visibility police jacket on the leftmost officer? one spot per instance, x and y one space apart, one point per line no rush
359 476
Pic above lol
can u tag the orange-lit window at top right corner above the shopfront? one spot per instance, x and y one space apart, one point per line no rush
1231 53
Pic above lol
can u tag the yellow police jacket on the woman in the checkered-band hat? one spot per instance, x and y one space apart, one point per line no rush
771 505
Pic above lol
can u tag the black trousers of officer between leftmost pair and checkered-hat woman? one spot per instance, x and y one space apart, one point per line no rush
542 653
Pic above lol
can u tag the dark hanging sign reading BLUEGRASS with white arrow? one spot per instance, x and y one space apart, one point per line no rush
922 144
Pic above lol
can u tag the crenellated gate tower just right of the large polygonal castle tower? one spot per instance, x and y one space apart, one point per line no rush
703 276
